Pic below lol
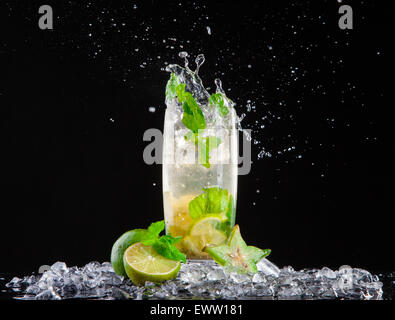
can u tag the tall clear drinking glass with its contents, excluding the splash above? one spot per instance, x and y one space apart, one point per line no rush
200 182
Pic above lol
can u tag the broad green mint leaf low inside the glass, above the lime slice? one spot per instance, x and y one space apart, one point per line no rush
213 200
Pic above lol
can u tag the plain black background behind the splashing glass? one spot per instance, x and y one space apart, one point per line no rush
74 106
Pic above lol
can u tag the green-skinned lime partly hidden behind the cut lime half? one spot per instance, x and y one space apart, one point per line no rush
119 247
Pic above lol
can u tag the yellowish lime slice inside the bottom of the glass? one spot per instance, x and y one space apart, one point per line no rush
204 232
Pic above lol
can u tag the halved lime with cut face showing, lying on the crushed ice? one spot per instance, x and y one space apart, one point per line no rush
142 263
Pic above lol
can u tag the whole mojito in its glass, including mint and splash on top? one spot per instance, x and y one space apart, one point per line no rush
200 153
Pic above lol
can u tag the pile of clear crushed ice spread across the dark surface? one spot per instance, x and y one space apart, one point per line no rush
200 279
